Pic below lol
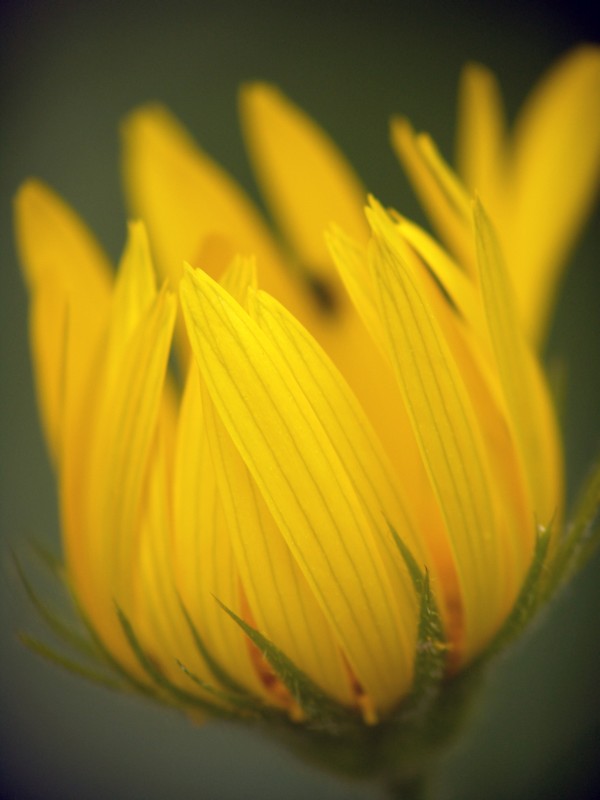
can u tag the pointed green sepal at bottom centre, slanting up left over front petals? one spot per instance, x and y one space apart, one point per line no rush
315 704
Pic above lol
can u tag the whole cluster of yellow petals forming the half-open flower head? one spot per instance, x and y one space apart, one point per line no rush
355 408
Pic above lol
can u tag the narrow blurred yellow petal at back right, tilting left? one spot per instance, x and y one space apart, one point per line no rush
440 192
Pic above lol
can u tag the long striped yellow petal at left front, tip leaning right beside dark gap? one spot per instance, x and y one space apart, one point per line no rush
123 432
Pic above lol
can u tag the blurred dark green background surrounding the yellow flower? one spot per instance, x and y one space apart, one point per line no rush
69 73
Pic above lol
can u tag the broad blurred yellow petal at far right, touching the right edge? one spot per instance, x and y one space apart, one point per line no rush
555 170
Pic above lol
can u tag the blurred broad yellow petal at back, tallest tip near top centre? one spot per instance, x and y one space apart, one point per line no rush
306 181
